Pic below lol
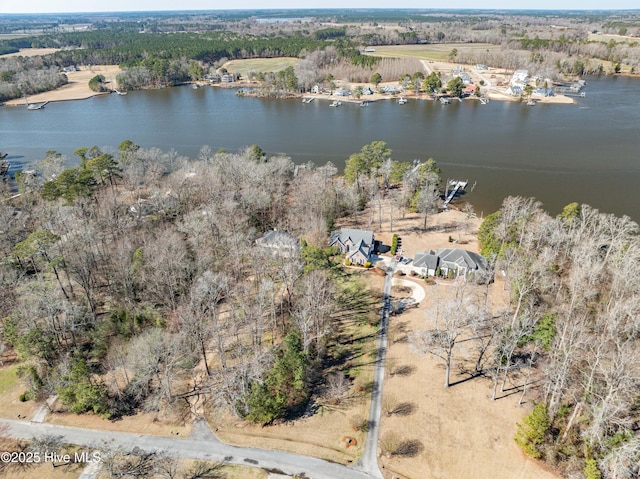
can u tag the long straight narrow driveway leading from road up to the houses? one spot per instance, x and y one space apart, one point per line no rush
369 460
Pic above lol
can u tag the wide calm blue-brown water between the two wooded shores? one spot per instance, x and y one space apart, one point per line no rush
587 152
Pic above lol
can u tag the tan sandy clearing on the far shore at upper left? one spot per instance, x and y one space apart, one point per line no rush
77 88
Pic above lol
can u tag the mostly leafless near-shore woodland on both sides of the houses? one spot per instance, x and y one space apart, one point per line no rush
133 282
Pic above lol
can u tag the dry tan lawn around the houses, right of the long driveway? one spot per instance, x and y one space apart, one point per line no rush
464 435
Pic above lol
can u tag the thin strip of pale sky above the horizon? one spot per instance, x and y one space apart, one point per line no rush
59 6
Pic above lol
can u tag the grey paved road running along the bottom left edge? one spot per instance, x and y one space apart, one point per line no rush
209 450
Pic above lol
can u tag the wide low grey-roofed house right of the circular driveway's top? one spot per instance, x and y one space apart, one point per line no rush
452 263
